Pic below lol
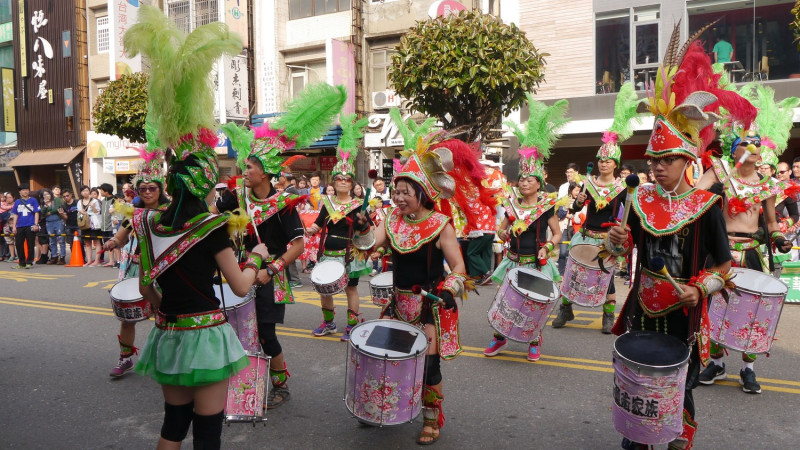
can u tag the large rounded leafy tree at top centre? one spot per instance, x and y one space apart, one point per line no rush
468 69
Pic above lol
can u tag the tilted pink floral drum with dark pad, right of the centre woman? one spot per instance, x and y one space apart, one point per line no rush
522 304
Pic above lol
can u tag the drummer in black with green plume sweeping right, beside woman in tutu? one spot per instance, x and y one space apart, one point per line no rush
275 215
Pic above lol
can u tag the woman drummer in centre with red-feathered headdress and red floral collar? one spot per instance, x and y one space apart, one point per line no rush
420 239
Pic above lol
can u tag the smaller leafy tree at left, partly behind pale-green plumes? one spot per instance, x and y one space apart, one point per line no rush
122 107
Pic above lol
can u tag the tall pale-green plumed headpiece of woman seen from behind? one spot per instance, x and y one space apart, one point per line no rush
181 97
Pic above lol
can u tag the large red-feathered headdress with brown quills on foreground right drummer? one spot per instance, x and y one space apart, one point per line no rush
686 98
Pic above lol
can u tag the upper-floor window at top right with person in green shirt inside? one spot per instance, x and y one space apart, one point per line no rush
752 38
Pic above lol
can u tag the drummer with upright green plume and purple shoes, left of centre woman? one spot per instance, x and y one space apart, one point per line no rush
337 221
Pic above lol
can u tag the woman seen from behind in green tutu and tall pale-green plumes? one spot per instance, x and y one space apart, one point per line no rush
192 350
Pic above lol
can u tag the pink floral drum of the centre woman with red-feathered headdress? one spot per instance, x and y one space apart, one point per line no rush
385 364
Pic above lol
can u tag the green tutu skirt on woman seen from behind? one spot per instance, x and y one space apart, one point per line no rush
192 357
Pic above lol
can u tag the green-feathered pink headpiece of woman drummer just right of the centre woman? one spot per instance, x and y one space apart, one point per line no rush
539 135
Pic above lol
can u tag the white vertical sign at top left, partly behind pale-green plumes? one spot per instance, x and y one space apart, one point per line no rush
122 15
